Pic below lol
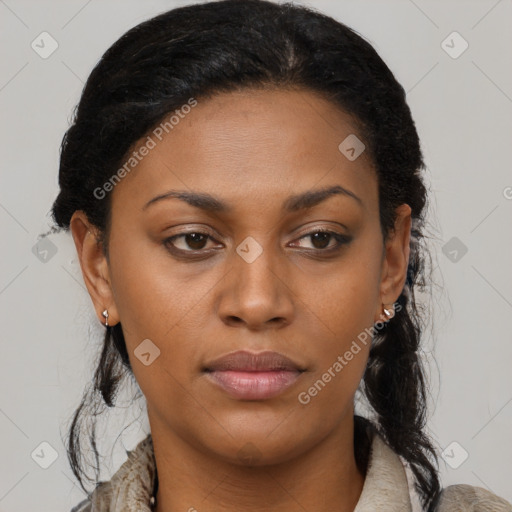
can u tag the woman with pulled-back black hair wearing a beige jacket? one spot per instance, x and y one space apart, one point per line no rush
242 181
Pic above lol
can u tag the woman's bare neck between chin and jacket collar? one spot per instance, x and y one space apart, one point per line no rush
323 479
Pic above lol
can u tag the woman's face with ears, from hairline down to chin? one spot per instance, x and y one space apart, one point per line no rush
256 276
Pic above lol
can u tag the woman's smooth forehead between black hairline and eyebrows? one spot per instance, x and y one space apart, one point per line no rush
247 145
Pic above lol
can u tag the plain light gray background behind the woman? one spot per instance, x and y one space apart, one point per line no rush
462 107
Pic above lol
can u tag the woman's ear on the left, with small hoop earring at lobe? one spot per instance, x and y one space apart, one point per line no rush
94 265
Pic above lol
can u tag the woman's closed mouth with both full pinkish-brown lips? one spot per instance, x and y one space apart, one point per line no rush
253 376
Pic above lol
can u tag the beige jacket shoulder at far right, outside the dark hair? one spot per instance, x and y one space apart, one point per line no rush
462 498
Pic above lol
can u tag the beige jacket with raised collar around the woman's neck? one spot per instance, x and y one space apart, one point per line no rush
387 487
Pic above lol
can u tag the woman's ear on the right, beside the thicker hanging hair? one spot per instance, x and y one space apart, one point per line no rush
395 260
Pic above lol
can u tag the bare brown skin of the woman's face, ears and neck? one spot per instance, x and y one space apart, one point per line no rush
252 149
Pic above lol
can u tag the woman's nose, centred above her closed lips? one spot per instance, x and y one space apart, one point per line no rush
257 294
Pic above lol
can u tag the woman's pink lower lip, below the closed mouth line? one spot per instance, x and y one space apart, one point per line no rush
254 385
